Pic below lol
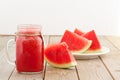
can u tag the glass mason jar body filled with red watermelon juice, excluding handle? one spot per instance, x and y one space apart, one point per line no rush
29 49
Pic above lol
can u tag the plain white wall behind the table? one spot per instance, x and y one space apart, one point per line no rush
57 15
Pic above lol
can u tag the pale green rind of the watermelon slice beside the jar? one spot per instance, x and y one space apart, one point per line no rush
66 65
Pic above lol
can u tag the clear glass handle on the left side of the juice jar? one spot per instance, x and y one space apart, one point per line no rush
10 57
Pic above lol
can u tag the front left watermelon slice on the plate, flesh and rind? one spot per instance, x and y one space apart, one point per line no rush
75 42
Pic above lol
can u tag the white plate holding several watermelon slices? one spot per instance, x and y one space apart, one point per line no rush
105 50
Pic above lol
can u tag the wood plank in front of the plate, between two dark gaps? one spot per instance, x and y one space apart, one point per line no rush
93 69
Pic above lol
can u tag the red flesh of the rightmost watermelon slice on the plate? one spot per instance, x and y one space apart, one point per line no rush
96 46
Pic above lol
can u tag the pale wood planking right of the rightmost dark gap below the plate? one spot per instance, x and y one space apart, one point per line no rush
112 60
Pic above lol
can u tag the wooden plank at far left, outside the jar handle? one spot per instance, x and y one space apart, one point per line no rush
5 68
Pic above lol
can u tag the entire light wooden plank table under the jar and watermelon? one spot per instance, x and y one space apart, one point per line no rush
105 67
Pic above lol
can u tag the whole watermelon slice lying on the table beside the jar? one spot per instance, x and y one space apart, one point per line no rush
58 55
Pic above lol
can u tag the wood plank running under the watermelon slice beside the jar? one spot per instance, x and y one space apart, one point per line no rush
56 73
